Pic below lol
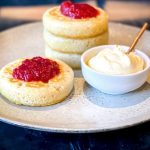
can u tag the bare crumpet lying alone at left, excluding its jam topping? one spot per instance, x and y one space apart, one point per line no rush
36 93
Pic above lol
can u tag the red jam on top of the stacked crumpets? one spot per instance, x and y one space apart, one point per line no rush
78 11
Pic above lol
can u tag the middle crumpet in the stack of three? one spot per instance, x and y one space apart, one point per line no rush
74 46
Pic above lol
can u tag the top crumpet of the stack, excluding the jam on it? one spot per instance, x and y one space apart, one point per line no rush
64 26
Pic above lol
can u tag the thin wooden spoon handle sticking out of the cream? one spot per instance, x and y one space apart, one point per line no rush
137 38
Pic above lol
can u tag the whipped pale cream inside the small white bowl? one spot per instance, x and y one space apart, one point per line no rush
116 62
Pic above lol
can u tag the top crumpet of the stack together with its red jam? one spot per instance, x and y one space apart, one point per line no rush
75 20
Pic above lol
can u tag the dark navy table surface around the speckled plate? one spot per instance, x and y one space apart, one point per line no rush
16 138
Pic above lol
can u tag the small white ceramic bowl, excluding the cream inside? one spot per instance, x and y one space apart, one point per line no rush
113 84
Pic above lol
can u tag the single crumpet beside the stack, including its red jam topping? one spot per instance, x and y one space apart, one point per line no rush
36 81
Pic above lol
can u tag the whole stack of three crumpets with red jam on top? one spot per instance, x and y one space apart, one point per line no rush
70 29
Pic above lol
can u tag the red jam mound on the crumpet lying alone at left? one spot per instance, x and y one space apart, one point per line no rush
36 69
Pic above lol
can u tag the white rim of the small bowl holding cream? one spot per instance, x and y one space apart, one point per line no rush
144 56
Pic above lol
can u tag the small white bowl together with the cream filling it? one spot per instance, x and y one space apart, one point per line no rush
109 69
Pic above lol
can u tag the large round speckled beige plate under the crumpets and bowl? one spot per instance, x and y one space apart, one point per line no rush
86 109
